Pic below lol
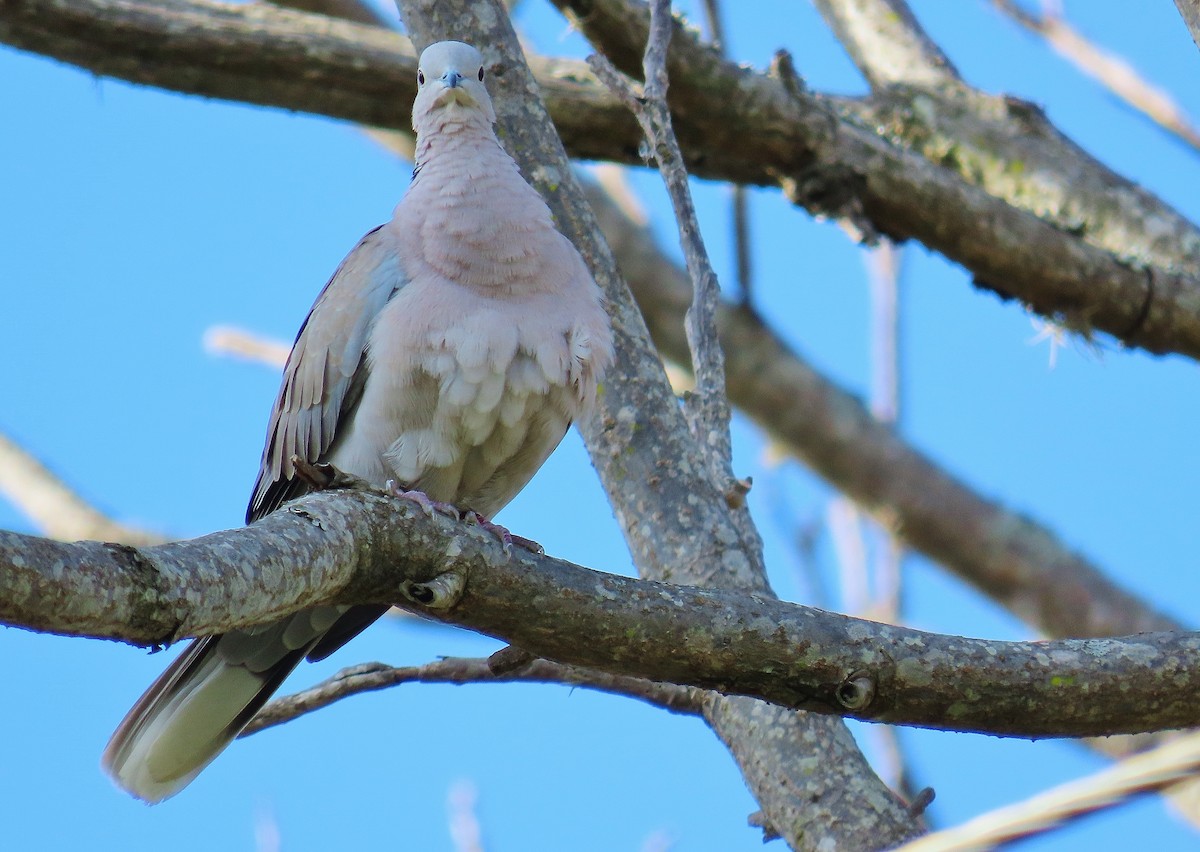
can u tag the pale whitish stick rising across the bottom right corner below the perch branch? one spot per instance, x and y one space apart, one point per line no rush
1149 772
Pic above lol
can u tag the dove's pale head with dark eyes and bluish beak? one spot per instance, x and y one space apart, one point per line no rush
451 87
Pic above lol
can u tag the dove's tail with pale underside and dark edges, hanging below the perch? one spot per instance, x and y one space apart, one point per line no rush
189 716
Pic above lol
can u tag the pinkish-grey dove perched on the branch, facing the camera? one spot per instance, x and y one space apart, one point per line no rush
449 353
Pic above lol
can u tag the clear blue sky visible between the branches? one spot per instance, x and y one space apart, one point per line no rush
133 220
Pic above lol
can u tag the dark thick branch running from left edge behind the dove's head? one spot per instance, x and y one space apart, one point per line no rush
261 53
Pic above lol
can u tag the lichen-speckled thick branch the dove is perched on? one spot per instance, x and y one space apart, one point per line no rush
365 548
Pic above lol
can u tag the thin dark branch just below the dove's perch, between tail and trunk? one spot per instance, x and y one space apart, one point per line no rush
375 676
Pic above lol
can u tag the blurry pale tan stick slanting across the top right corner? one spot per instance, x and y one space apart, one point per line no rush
1114 73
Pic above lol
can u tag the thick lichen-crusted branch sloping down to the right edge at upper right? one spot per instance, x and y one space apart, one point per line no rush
1034 217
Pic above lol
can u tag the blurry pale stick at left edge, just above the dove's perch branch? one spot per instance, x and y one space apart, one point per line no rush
55 507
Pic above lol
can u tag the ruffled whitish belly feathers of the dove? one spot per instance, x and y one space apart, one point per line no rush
467 406
